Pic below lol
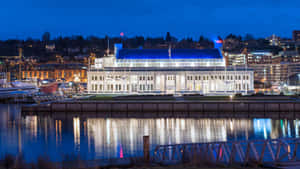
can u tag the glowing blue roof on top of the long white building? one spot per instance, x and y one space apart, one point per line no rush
164 54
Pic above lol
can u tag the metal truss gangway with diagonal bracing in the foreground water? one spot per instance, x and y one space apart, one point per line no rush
272 152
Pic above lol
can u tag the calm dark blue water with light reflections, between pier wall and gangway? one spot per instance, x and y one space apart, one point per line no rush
95 138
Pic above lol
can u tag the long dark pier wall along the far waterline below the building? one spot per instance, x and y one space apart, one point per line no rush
174 108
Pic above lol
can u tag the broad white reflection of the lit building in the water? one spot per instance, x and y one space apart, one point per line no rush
108 136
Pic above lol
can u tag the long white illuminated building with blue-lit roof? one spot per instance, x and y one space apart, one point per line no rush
167 71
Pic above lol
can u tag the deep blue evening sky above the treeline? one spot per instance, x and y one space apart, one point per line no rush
183 18
